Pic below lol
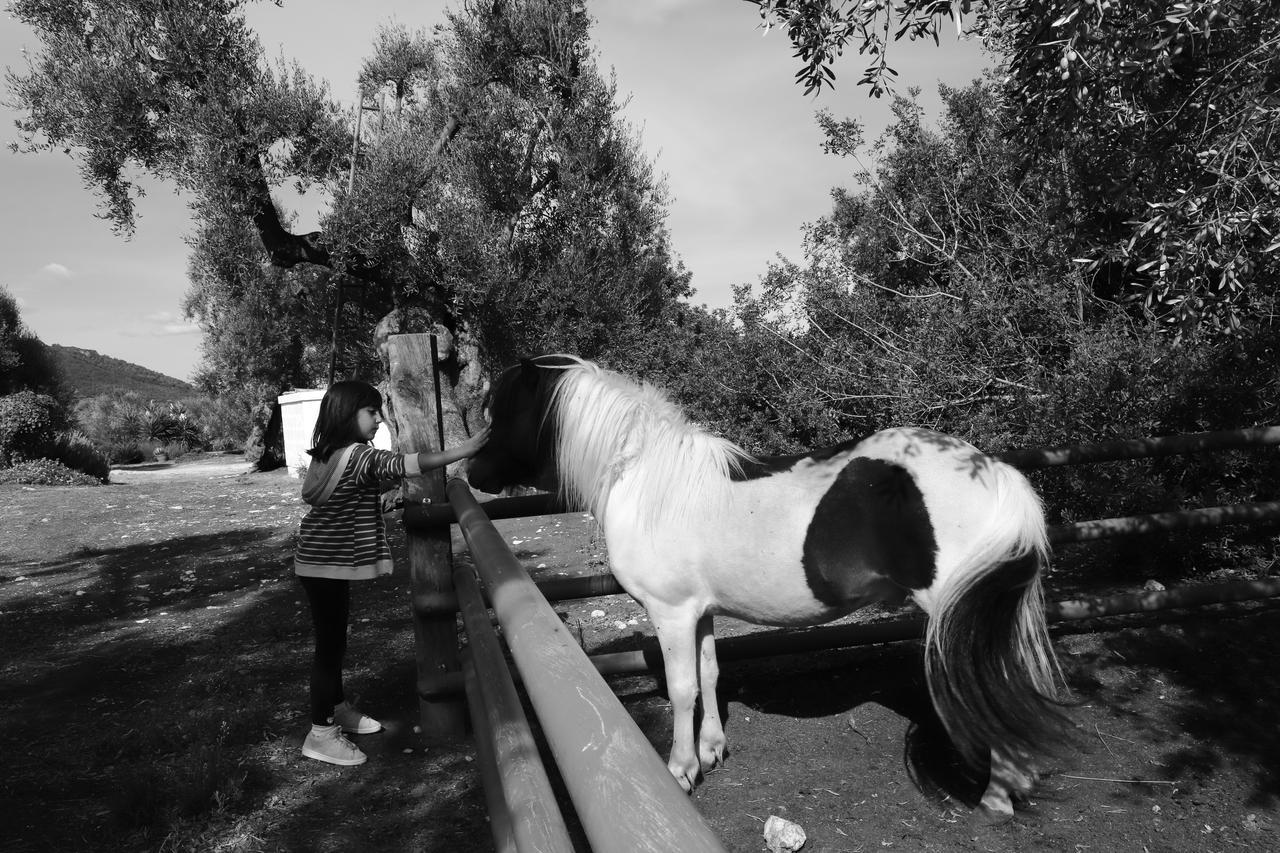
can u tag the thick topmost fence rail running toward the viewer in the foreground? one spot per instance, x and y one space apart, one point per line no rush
625 797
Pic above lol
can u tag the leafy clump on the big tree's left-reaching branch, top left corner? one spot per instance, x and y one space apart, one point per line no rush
173 89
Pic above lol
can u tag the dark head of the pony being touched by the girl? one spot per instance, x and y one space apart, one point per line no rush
522 448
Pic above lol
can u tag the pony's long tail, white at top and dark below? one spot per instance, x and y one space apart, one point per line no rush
989 660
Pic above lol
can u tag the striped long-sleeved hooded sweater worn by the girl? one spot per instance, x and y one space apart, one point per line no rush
344 536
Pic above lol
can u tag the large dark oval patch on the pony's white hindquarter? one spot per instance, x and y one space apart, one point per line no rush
871 522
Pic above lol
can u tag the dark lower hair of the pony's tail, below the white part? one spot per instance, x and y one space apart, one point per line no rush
979 677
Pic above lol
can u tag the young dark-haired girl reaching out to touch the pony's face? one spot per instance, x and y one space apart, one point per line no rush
344 540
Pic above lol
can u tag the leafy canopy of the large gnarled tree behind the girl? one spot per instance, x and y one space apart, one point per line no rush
500 199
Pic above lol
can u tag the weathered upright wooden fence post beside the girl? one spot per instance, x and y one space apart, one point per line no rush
413 403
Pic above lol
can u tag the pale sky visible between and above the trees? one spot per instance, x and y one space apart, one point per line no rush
708 92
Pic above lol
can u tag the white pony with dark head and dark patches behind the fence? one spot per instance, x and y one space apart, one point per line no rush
697 527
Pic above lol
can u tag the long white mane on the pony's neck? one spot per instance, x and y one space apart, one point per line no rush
609 425
